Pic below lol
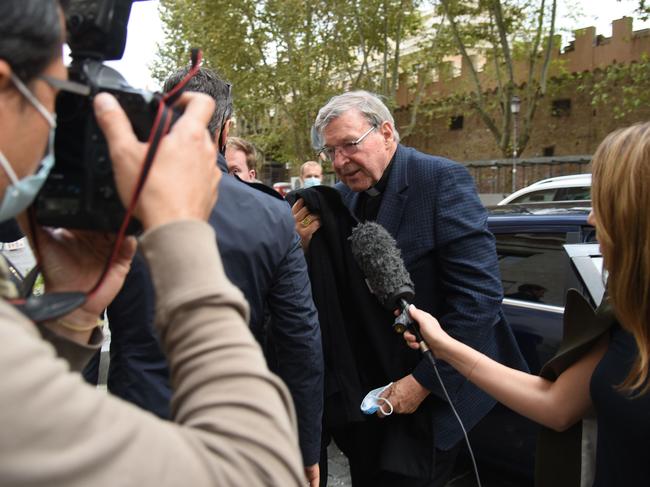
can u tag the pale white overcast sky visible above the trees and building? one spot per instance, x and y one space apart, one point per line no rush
145 30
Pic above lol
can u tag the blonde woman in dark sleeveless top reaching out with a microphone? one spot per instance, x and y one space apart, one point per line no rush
611 377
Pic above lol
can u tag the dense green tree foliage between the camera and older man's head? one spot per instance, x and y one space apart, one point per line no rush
285 58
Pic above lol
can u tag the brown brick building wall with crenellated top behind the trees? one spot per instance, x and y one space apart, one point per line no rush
566 122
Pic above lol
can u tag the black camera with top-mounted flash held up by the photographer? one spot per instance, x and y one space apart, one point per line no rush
80 192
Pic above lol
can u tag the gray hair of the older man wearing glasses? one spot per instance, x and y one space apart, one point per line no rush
368 104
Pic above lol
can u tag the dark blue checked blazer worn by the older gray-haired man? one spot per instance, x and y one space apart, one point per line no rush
431 208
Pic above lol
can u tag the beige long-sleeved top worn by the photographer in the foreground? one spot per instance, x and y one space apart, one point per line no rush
234 423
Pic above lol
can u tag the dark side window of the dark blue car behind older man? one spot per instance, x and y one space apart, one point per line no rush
533 266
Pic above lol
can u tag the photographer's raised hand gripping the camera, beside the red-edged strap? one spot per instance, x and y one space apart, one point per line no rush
183 180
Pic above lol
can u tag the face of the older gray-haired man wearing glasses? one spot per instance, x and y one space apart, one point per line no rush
365 167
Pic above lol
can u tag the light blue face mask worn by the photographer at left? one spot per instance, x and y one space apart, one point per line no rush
21 192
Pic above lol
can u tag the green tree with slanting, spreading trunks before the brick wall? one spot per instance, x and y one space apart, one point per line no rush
516 38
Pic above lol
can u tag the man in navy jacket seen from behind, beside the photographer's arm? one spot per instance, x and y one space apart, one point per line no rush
262 256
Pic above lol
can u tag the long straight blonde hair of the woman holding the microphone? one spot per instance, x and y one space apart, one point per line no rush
621 204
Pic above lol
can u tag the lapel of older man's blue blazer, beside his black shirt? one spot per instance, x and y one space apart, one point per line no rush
394 198
